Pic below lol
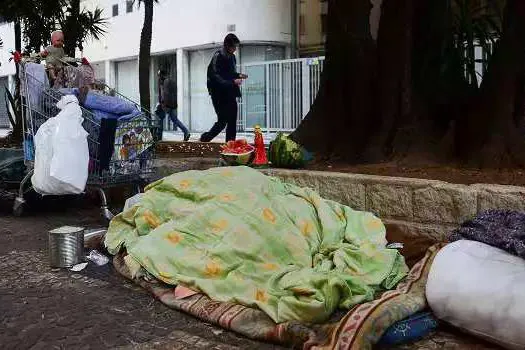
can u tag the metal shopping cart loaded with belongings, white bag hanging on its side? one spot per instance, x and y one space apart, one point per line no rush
124 155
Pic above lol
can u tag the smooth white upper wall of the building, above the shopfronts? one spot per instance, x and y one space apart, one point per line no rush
183 24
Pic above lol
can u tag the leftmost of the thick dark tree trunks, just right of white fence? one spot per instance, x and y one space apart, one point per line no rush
341 117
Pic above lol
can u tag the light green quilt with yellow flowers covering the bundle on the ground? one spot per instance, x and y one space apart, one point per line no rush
240 236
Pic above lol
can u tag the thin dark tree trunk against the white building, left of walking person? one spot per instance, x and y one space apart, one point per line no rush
145 55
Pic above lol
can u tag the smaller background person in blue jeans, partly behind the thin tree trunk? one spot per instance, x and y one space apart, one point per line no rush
168 104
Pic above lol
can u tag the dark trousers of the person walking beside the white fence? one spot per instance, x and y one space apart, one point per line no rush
226 109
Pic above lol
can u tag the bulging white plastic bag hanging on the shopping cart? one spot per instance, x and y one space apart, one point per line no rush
61 152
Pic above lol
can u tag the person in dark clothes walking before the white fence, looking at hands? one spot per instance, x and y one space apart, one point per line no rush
224 88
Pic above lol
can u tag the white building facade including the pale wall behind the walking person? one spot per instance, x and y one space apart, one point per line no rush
185 35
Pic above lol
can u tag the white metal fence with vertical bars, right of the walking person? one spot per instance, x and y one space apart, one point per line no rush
279 94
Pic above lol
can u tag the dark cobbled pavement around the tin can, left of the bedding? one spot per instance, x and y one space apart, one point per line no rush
45 308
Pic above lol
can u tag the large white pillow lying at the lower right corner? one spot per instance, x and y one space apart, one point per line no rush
480 289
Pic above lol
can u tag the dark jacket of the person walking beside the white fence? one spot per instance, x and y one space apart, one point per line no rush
222 71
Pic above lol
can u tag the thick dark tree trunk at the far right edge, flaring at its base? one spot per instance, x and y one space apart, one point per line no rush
491 127
